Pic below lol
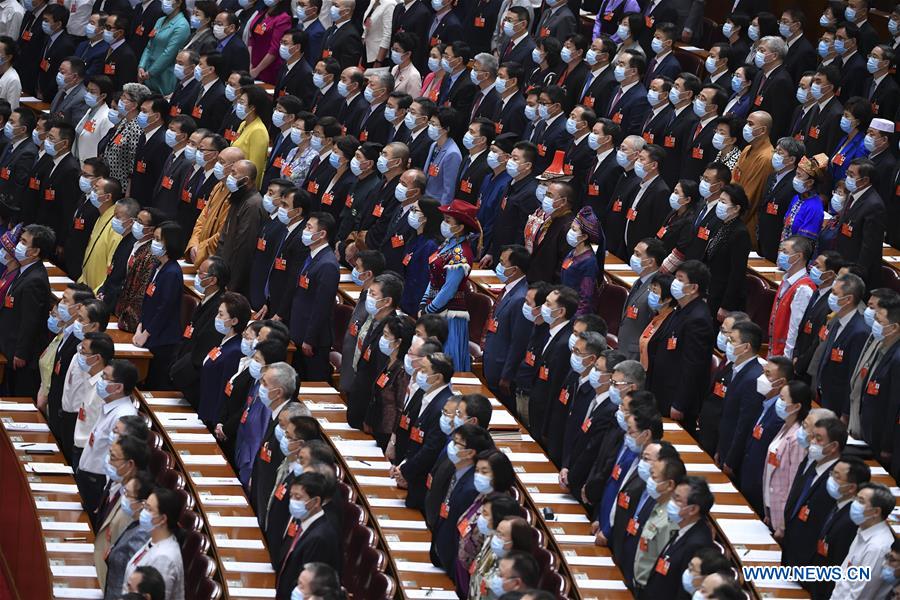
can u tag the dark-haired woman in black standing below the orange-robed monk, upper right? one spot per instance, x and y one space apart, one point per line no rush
727 253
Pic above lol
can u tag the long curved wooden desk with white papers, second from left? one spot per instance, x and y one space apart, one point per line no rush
237 543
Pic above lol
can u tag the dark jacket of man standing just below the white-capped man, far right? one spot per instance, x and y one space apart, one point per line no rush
861 231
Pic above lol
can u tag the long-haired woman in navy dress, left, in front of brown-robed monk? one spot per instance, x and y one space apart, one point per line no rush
160 327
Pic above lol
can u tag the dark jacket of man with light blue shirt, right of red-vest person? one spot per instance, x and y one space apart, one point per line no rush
838 361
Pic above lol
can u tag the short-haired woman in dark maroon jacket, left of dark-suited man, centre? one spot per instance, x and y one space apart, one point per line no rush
389 390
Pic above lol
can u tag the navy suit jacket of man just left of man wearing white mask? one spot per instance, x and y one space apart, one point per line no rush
741 409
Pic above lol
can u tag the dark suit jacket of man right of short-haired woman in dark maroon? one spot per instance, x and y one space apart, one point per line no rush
425 443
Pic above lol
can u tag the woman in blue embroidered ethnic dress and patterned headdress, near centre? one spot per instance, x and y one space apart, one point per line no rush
580 270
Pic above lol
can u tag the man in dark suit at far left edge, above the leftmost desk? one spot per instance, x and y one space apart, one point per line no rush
24 310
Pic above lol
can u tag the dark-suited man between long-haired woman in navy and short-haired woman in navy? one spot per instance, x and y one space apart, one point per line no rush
200 335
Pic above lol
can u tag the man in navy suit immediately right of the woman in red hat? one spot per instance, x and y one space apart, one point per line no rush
507 329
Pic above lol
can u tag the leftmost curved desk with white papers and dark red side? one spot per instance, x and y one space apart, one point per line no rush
45 534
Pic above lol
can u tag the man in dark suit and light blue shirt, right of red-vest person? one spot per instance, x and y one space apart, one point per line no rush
847 332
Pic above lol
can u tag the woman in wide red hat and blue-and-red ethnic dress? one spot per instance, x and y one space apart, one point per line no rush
449 269
